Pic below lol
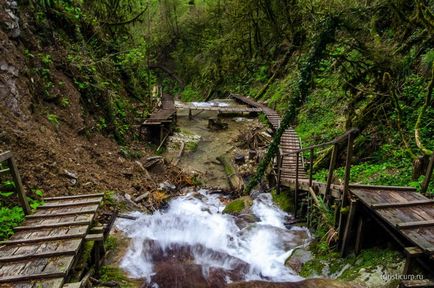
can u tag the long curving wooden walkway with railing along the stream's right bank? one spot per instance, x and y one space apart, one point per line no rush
407 216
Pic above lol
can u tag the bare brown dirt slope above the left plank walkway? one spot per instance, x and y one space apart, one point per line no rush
48 153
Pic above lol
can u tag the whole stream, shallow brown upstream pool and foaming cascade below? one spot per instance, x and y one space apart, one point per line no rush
191 243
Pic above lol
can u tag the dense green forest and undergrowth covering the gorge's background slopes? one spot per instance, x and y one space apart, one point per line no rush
331 65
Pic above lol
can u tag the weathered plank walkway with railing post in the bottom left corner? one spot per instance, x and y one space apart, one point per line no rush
46 246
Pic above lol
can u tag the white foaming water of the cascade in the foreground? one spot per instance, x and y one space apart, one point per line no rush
256 248
